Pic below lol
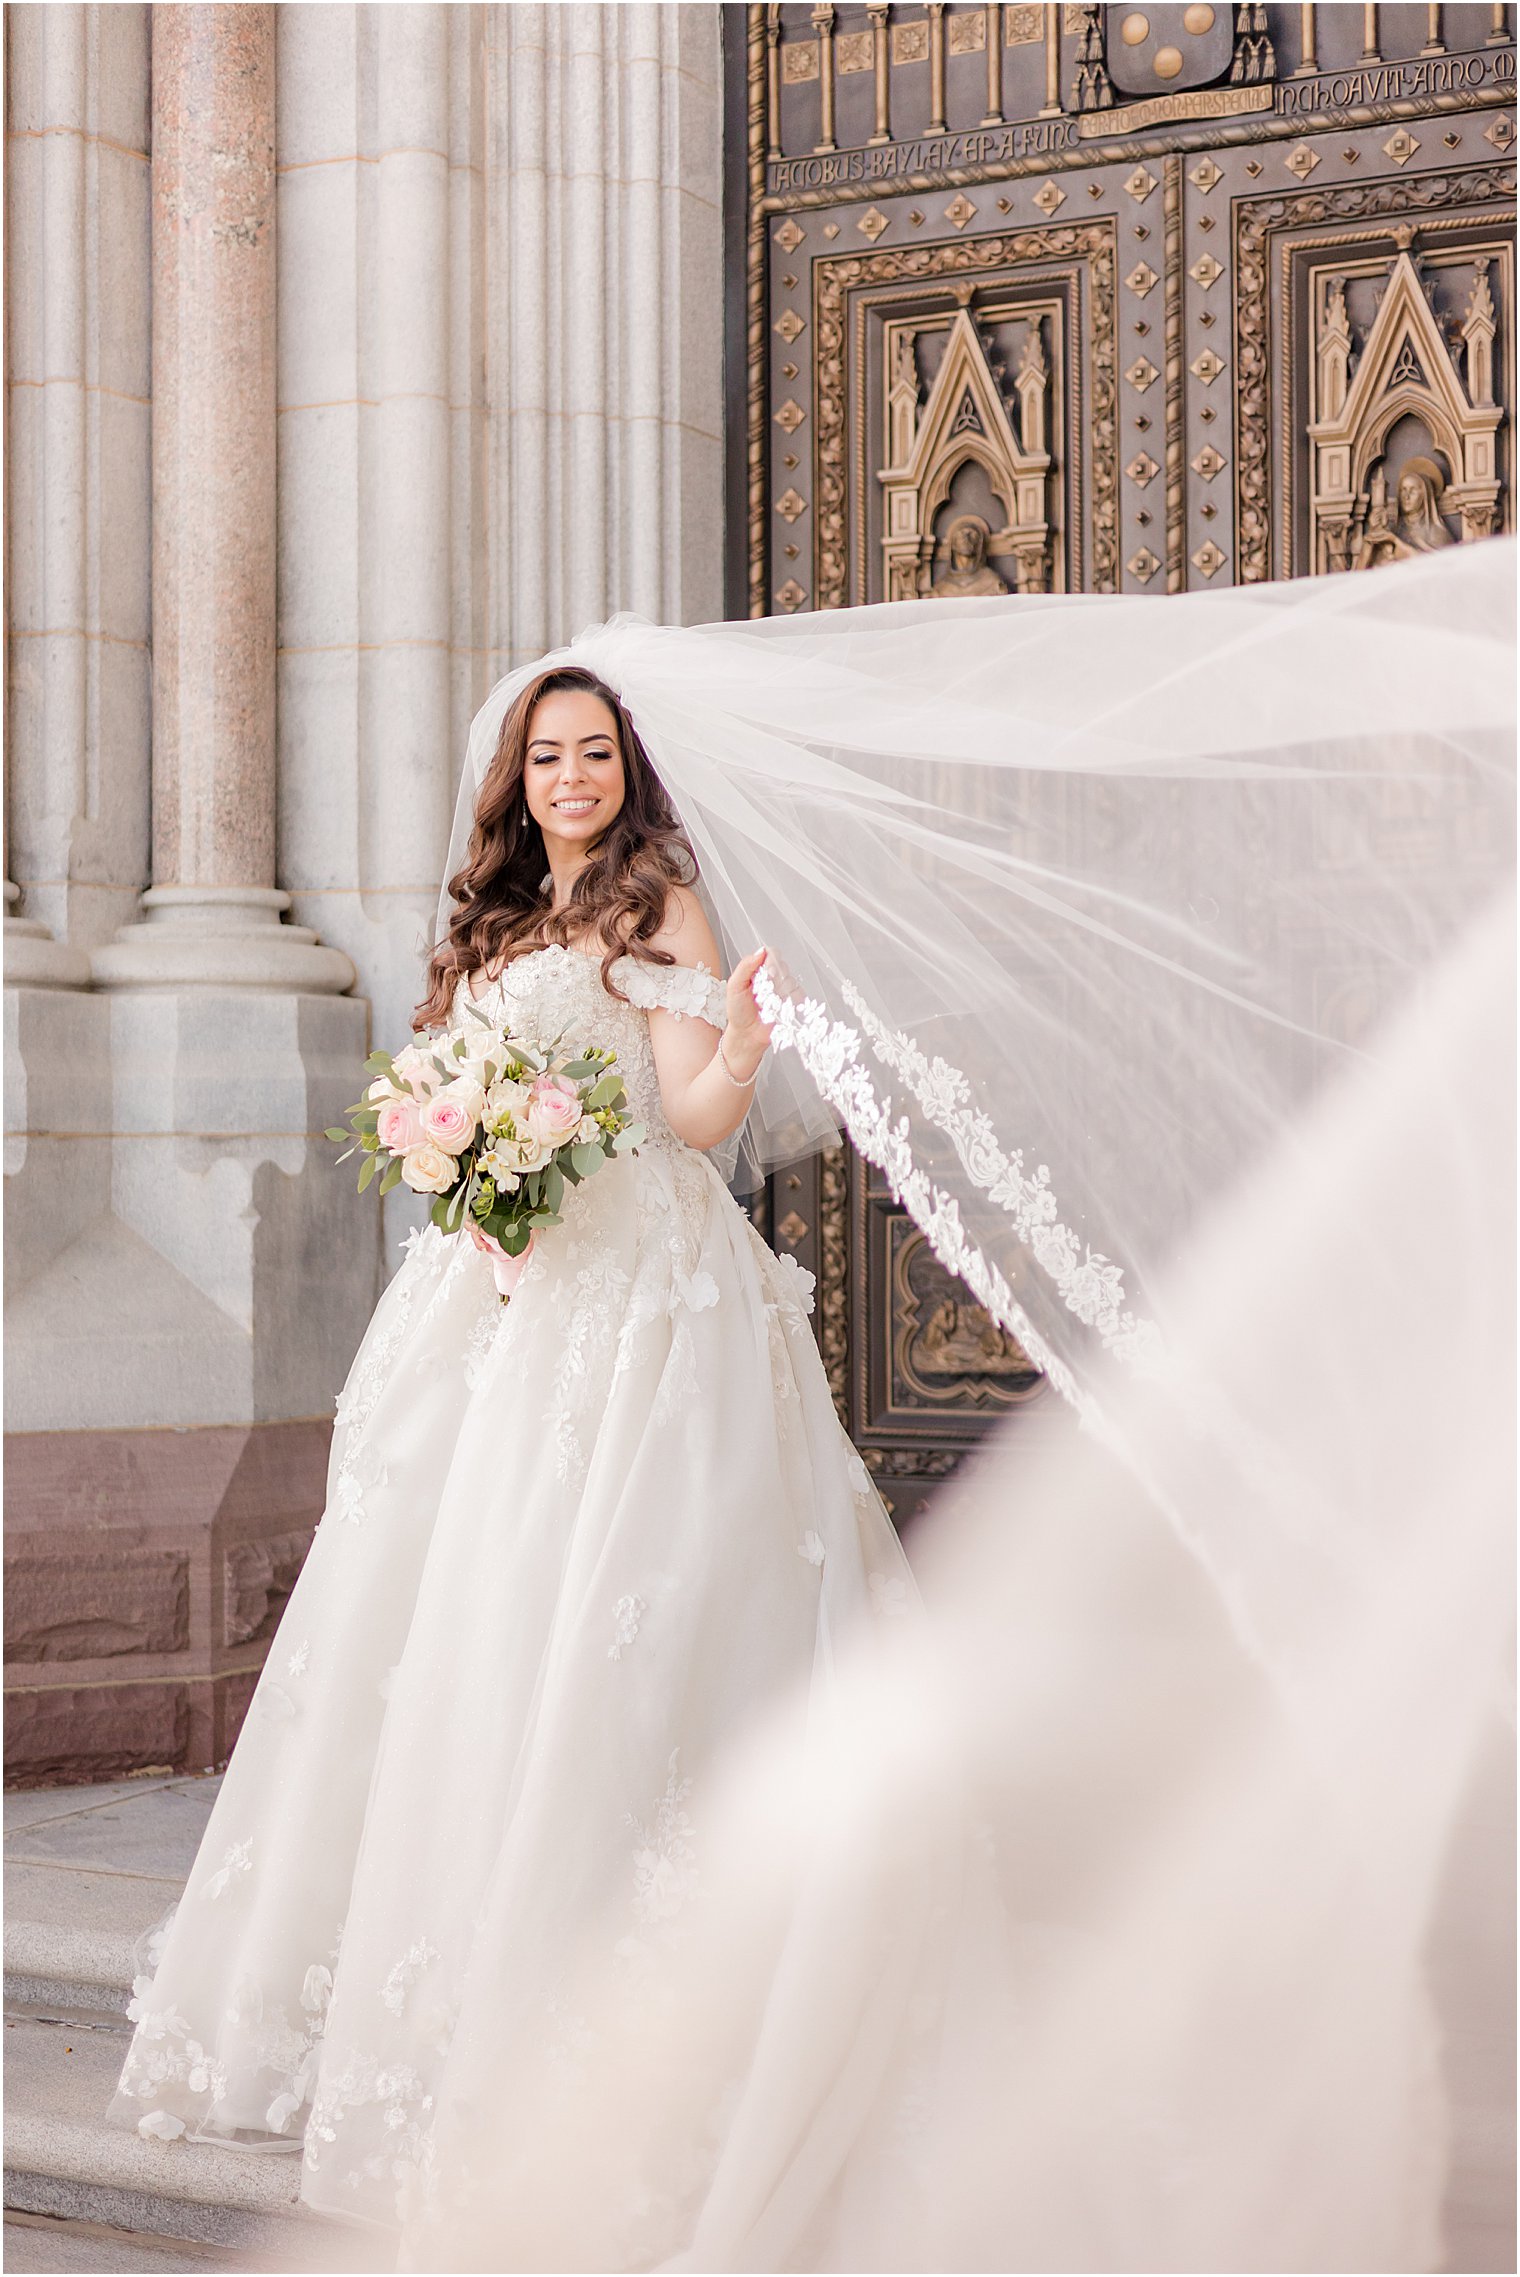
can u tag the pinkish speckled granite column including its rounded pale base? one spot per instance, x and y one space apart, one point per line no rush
213 914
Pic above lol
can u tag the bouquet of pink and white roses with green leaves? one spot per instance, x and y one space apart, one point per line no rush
493 1128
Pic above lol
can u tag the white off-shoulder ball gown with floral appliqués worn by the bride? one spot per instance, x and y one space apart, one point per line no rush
572 1547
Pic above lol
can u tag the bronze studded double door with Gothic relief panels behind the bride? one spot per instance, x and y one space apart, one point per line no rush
1096 299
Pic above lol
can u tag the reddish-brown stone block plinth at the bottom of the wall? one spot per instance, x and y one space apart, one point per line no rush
144 1577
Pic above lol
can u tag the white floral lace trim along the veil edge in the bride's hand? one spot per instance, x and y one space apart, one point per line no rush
1087 1283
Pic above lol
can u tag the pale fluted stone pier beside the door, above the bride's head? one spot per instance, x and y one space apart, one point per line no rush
606 318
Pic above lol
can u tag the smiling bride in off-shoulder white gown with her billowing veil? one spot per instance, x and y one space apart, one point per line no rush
1073 955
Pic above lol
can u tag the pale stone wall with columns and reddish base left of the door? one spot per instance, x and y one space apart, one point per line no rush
354 354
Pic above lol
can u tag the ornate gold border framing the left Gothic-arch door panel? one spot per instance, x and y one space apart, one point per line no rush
836 281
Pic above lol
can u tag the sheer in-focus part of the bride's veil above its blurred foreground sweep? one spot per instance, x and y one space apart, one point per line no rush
1075 901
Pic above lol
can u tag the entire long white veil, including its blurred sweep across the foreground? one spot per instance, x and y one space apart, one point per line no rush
1162 955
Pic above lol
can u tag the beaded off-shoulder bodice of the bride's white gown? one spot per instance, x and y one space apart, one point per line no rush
559 992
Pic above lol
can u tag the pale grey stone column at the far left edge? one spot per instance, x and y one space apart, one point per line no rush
76 172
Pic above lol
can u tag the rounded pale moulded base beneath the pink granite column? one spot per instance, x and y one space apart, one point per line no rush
220 937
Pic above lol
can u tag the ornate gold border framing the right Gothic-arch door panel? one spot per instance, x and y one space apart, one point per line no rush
1259 227
